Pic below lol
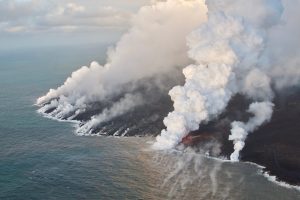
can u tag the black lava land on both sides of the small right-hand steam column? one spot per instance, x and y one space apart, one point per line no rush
275 145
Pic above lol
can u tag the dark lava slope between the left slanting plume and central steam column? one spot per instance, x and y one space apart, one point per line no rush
142 120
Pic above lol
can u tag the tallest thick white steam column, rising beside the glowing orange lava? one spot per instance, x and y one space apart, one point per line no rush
228 51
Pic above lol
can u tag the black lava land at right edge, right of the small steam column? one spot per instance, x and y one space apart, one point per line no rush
276 145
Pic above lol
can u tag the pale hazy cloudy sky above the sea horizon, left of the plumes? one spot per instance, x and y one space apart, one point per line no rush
51 22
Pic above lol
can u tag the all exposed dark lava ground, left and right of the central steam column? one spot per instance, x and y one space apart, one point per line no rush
275 145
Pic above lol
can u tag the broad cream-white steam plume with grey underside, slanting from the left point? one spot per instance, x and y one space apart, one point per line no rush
147 58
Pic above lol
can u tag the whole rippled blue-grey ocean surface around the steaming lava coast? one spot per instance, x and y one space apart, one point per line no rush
43 159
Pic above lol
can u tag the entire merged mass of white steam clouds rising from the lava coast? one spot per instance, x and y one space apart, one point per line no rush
229 47
